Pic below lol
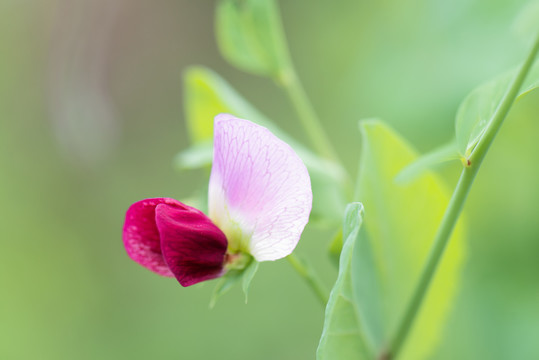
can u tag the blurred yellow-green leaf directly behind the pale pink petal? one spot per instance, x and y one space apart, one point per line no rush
207 94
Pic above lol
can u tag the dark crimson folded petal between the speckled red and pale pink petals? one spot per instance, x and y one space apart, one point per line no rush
193 247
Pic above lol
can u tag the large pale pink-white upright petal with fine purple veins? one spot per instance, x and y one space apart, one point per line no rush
260 190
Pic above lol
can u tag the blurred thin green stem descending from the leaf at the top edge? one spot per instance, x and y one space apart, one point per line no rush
310 121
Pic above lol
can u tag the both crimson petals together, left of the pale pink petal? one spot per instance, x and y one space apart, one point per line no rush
173 239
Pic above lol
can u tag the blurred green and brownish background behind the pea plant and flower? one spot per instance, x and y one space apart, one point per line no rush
92 116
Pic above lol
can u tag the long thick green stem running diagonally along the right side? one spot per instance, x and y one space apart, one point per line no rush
454 209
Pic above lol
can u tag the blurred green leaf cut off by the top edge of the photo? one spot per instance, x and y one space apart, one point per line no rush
250 36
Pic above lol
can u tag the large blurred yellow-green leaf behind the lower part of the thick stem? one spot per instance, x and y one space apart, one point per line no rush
400 225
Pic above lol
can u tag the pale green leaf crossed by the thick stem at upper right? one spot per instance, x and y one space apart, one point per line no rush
476 111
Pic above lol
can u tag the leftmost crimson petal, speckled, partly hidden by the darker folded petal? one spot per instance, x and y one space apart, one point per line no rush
141 236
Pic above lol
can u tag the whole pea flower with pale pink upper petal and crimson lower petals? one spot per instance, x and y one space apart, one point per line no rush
260 199
